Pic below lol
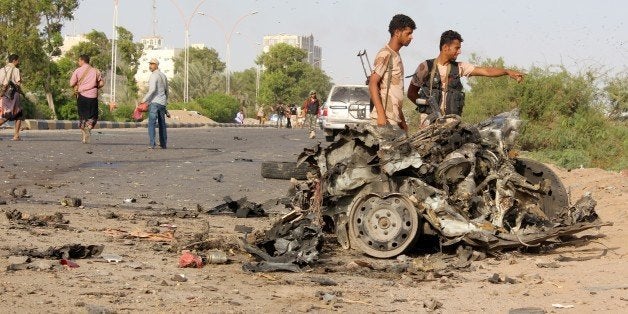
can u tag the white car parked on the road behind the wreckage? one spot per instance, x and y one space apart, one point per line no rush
346 104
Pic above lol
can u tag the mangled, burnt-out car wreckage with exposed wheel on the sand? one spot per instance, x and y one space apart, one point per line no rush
380 191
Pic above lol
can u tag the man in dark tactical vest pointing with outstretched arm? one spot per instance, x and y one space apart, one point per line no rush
437 81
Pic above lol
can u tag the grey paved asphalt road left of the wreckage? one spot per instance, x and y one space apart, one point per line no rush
119 165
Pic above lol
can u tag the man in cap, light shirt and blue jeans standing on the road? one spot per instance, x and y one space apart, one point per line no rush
157 98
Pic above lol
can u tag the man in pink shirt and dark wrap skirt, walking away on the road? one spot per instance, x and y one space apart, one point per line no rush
86 81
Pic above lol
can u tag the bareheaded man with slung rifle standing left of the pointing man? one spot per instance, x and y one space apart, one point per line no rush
386 81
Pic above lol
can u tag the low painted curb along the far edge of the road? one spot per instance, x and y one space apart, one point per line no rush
31 124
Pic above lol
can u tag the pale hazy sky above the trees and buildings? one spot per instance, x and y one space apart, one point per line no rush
578 34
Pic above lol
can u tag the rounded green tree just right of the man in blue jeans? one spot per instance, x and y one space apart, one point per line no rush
205 74
